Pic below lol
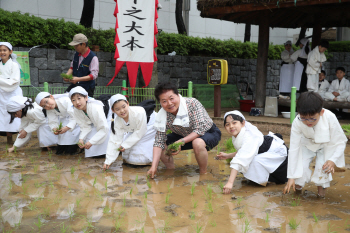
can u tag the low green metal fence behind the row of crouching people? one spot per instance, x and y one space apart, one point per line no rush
139 95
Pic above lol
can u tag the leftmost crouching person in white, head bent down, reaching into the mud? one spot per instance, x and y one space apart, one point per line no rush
32 119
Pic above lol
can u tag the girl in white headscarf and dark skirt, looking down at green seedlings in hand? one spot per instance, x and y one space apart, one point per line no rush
60 113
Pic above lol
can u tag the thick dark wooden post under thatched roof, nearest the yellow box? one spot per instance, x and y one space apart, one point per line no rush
261 67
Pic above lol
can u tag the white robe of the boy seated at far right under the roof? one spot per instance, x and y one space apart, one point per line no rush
341 87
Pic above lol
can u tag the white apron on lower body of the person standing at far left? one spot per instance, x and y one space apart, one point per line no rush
5 117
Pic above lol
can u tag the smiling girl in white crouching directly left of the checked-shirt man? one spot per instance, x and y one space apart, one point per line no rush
133 134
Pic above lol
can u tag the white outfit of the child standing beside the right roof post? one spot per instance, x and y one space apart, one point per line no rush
314 61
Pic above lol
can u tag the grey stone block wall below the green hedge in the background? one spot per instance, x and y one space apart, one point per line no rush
46 65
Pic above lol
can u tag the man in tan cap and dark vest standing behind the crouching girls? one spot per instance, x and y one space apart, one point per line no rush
84 66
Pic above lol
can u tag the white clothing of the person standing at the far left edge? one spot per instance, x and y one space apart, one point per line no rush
9 86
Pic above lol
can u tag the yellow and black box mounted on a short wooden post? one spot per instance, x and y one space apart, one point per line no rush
217 72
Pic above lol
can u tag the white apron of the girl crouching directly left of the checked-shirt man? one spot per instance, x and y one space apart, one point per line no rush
142 152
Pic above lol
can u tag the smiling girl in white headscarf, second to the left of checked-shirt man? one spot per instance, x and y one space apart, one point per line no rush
90 116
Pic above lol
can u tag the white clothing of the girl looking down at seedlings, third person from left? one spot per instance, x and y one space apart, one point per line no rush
64 113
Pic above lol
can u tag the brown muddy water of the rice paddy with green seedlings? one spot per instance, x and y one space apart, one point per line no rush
40 192
